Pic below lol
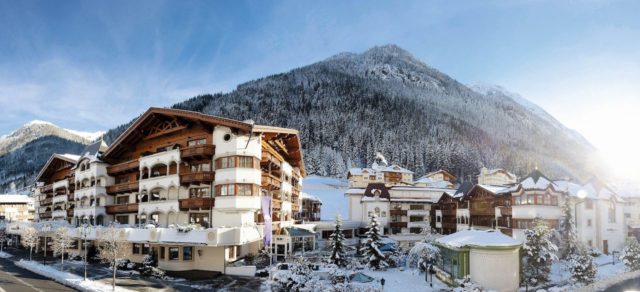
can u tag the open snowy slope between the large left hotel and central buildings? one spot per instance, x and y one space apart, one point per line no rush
331 192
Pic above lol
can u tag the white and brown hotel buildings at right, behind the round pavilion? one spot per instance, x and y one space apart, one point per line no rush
512 208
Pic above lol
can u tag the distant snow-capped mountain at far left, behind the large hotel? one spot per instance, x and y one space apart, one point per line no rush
24 151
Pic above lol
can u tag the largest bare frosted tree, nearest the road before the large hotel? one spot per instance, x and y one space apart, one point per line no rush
112 248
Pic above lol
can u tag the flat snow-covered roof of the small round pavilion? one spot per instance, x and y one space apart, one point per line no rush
478 238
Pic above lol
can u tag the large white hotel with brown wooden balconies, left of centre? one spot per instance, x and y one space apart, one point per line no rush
200 191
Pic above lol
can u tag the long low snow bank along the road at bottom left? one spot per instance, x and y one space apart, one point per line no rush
67 279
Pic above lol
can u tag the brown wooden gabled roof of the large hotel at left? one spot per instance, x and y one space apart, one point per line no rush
133 134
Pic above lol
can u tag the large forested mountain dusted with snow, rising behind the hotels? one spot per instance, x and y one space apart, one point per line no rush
350 106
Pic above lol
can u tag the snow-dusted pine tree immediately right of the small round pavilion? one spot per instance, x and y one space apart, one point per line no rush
539 252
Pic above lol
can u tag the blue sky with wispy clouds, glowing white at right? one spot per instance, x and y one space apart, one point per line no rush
92 65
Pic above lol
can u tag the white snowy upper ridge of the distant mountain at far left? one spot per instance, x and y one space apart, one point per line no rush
36 129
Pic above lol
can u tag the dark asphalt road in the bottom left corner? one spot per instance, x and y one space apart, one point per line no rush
16 279
